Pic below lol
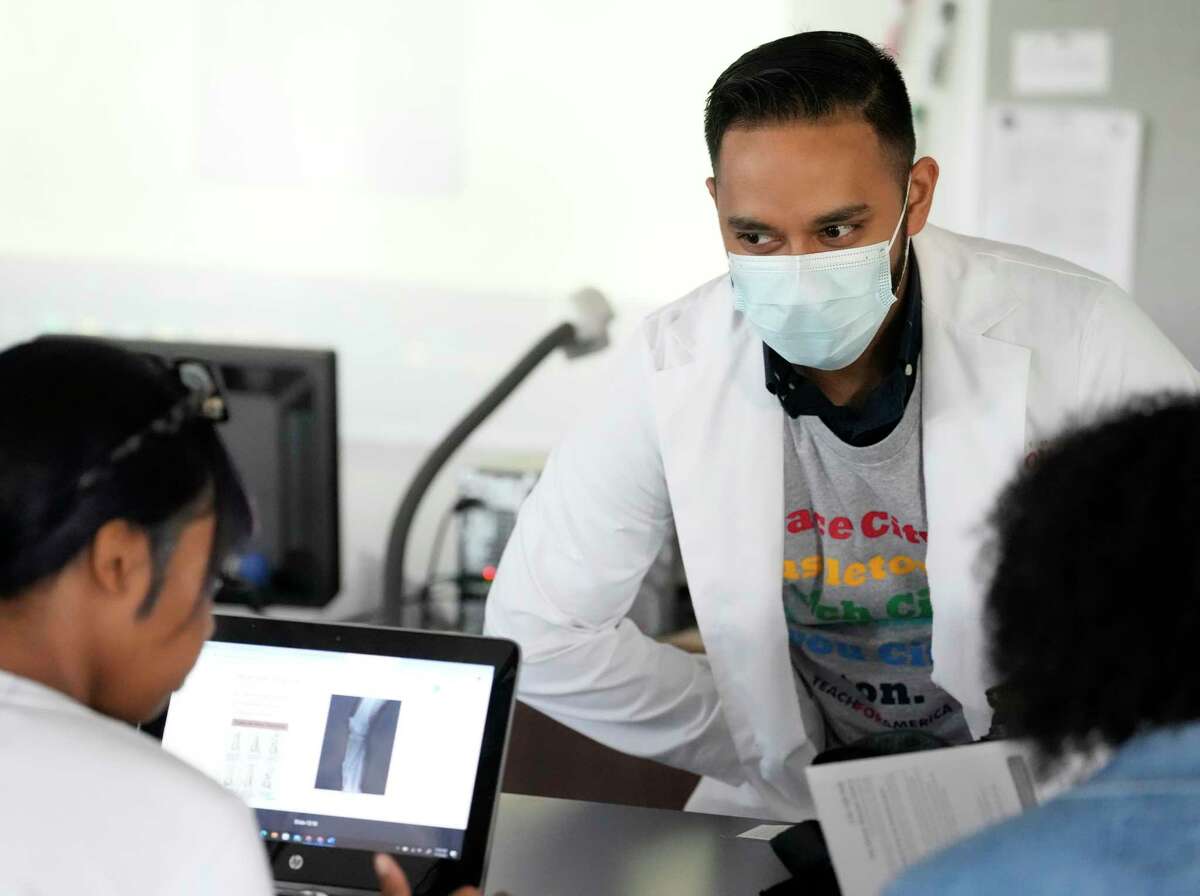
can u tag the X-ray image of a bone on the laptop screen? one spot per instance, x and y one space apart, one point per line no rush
356 754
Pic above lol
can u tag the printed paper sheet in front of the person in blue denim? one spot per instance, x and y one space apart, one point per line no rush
880 816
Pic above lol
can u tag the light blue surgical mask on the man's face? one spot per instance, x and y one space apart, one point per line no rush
820 310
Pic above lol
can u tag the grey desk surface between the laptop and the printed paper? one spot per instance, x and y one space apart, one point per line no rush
545 847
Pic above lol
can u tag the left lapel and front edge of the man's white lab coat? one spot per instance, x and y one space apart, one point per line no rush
724 464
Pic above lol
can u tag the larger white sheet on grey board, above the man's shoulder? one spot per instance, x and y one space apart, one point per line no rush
1065 181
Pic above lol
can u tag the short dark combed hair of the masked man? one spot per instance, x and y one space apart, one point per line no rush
813 76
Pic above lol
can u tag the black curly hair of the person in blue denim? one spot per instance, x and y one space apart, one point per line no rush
1095 604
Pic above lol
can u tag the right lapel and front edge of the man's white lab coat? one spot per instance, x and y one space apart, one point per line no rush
974 425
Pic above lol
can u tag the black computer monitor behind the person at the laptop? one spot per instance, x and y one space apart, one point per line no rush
283 435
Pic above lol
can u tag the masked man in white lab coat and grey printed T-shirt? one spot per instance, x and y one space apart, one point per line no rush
826 428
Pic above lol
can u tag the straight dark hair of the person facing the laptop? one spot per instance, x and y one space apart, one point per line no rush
70 402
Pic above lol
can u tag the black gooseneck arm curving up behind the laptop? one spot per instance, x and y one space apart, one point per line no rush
394 598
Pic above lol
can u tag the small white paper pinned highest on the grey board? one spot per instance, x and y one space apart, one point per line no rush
1063 62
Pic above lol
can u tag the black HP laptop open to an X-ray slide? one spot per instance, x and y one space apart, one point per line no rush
349 741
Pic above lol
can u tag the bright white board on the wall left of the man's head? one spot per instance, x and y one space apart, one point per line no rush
572 134
